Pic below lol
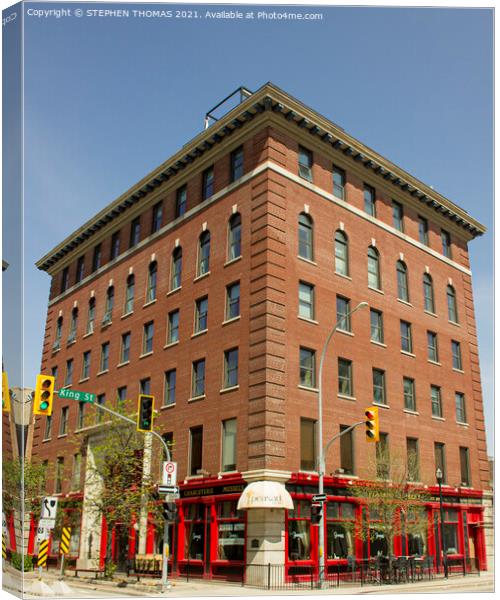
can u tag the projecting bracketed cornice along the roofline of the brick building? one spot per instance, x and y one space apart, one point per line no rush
268 99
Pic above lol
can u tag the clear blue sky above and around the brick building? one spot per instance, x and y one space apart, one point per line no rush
108 99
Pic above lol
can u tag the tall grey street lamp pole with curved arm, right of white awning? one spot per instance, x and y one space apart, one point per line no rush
320 448
